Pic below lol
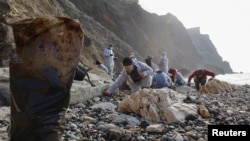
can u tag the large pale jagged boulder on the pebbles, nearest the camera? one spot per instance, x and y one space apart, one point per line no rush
158 105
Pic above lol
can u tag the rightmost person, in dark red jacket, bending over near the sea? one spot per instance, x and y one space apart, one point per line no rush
200 77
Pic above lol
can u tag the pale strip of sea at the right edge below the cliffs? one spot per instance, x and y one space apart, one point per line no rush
238 79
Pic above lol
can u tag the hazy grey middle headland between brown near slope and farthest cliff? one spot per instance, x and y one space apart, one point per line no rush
147 34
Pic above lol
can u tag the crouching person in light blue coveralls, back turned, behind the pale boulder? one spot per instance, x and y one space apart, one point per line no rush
161 79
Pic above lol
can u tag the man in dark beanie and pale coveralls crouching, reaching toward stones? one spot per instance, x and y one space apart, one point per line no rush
137 74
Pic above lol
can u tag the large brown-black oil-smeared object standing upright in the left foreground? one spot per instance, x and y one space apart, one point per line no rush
41 75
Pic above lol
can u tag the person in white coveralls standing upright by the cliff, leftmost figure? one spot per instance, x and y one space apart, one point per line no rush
109 59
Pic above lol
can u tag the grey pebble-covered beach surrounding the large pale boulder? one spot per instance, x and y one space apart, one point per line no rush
97 119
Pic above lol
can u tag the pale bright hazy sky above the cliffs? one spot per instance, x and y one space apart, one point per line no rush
227 22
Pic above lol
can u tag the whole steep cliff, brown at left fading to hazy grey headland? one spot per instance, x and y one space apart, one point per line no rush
129 28
